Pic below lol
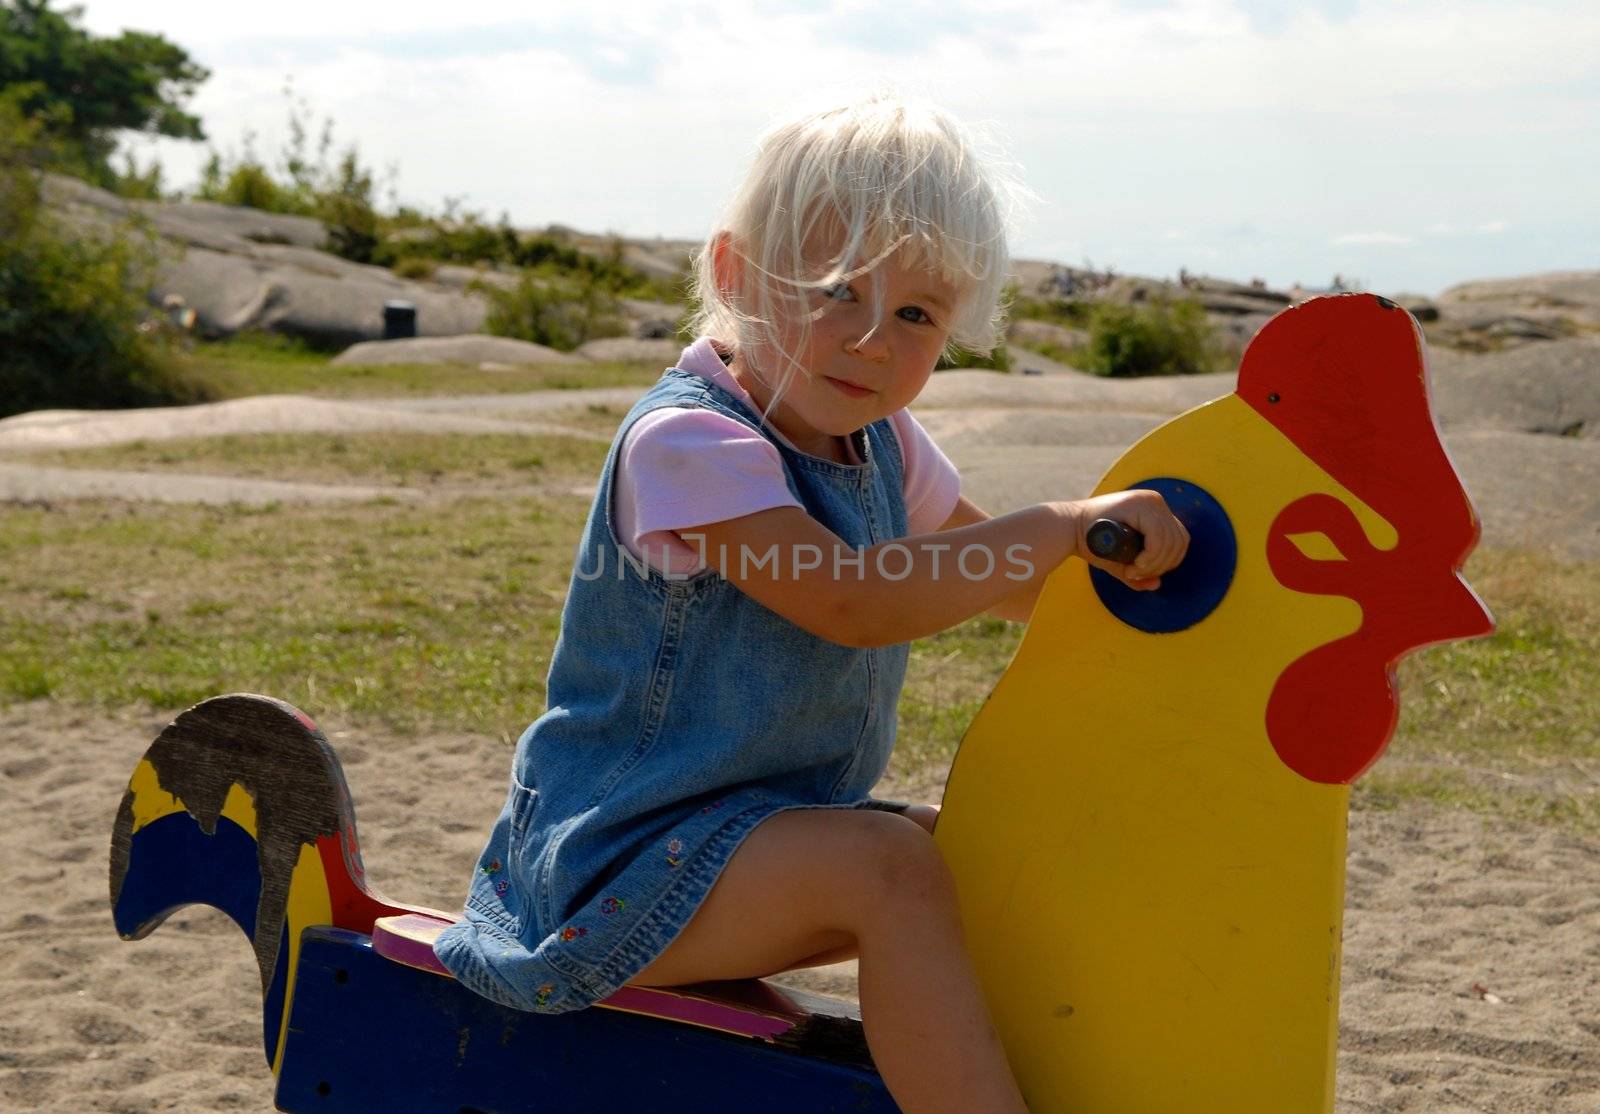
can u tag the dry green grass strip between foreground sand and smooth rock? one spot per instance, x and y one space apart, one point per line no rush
442 617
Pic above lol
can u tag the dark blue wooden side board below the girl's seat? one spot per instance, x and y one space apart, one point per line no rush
370 1035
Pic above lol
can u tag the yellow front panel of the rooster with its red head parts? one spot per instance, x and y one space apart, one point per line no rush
1153 896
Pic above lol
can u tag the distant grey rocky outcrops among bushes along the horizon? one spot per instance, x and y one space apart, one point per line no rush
244 270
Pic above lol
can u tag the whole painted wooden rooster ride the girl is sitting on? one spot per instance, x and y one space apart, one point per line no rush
1146 820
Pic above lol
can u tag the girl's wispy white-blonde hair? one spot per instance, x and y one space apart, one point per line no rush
858 182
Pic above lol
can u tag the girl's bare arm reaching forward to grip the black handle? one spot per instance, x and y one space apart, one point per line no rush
910 588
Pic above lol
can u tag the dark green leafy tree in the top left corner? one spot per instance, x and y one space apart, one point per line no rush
87 89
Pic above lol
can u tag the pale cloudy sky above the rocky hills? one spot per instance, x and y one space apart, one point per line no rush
1404 143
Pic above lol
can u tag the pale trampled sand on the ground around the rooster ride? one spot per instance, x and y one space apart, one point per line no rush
1471 968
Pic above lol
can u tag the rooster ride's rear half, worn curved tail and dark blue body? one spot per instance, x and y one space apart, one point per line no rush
241 804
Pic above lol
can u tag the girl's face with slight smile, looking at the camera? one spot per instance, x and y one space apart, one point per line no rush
870 355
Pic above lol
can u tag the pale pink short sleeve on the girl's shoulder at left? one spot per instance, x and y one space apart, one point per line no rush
682 468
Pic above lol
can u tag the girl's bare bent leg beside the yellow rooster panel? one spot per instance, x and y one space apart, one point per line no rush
814 883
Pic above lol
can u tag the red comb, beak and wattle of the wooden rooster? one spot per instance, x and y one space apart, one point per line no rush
1346 382
